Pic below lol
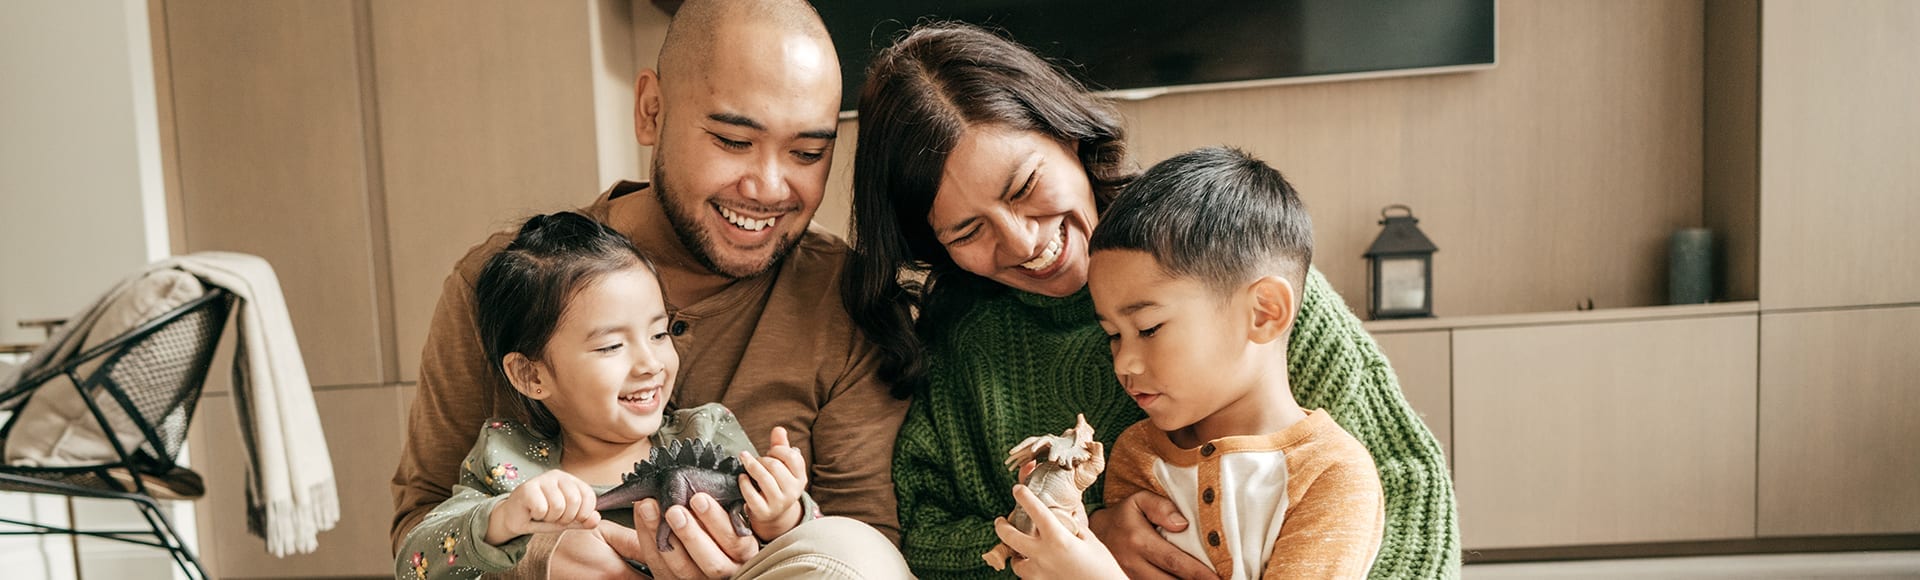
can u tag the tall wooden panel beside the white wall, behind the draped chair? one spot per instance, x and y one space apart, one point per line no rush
272 162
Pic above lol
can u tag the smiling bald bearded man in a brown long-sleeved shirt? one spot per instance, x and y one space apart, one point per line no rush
742 120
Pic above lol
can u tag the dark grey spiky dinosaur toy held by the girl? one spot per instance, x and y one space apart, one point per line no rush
679 471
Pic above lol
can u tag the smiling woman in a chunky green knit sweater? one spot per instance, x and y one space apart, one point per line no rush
980 180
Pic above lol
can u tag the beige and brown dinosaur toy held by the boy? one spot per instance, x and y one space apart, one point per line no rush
1061 471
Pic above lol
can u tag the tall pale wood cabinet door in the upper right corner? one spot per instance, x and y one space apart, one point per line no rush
1840 153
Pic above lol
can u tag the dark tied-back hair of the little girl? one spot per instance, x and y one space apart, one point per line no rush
527 287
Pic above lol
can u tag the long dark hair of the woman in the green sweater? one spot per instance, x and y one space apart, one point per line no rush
921 95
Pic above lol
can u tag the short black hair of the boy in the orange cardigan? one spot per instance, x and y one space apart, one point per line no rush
1218 216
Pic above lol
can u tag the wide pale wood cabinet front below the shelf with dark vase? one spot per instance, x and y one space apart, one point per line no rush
1608 433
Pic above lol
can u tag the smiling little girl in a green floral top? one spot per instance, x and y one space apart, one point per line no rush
577 324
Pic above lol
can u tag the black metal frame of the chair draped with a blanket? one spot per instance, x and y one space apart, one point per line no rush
156 456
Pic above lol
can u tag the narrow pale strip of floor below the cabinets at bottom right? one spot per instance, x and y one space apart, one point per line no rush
1852 566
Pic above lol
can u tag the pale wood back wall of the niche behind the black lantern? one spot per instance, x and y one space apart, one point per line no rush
1547 181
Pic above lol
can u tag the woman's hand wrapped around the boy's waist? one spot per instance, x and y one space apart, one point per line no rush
1130 531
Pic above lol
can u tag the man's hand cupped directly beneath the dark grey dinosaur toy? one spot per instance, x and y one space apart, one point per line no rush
696 550
